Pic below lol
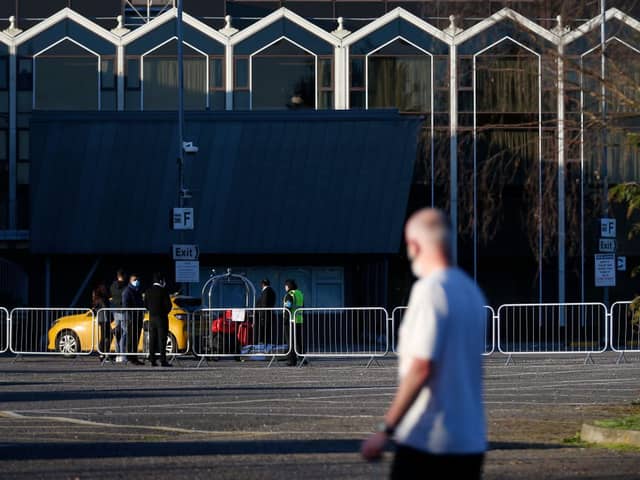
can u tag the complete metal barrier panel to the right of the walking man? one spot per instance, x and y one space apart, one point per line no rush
552 328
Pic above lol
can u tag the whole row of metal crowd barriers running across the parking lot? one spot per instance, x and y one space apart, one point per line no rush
267 334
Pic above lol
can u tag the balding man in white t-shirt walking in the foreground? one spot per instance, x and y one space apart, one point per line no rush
437 415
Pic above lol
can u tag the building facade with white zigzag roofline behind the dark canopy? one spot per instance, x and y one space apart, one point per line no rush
512 141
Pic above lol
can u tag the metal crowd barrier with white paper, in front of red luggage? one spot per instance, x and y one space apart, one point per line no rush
241 333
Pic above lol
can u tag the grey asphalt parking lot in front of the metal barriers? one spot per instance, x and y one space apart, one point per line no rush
75 419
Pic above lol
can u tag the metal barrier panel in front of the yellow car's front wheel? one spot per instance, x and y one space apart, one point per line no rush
63 331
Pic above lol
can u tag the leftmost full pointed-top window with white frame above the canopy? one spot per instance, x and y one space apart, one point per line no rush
63 65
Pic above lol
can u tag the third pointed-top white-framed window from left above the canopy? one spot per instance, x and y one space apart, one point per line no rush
283 77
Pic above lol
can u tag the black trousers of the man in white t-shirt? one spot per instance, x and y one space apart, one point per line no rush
409 461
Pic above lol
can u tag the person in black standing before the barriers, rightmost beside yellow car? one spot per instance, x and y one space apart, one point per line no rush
158 302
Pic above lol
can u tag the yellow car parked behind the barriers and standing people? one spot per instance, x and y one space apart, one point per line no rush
72 334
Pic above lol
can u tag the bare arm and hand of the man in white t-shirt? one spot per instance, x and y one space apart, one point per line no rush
408 390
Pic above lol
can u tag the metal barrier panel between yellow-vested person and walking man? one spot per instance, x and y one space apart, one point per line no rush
343 332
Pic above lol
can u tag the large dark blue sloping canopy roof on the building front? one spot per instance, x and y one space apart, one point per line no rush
262 182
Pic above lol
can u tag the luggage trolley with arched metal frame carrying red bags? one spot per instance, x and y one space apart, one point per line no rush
225 327
